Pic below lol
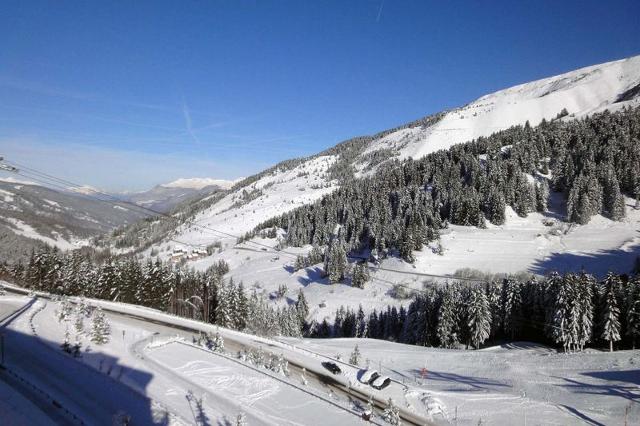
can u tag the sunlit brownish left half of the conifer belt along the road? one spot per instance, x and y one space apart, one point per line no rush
204 296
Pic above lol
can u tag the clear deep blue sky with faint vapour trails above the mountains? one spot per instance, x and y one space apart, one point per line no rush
127 94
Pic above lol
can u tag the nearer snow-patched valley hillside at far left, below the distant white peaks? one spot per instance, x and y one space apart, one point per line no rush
32 214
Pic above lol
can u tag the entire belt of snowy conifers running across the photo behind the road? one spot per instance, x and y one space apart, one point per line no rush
568 311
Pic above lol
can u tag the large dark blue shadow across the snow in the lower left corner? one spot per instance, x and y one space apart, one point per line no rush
96 389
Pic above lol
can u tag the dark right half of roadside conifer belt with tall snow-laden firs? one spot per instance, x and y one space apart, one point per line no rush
568 311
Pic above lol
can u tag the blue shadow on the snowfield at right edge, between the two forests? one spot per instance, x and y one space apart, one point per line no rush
598 263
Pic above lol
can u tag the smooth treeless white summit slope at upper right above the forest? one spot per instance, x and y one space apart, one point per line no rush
581 92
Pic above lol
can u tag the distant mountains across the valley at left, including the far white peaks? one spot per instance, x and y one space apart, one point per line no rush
32 215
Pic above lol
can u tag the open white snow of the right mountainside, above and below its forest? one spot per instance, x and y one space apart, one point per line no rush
536 244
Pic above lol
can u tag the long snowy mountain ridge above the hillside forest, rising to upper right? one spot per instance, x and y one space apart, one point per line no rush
293 183
